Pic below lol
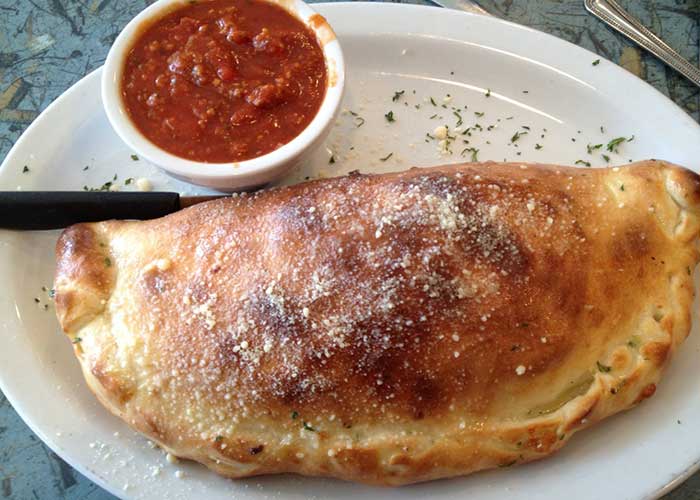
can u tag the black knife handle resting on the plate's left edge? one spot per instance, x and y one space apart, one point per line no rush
57 209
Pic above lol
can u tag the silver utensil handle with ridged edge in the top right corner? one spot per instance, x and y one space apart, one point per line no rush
610 12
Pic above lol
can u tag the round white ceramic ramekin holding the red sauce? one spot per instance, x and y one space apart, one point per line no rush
234 175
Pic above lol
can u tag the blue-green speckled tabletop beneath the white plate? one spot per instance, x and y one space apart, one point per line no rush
48 45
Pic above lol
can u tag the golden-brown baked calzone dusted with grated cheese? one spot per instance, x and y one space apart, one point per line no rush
387 328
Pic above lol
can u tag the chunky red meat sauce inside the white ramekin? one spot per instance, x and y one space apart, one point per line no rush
224 80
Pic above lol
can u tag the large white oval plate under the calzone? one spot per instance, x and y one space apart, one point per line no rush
389 48
